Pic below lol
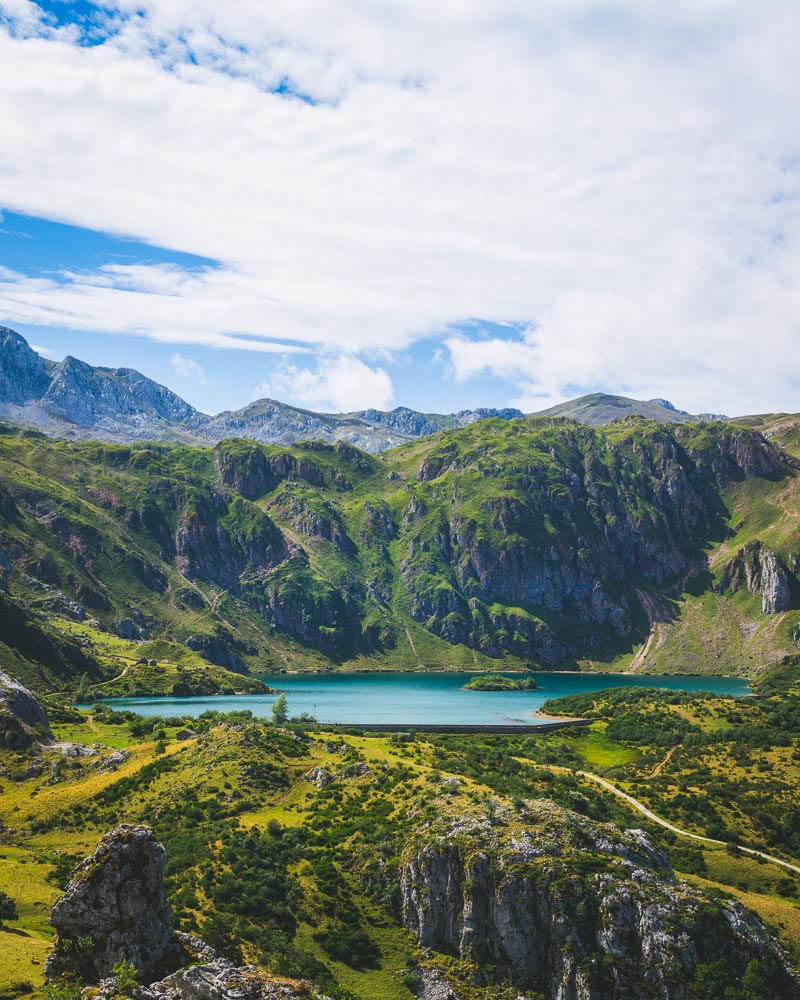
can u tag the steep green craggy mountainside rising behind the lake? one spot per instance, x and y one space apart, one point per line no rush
523 543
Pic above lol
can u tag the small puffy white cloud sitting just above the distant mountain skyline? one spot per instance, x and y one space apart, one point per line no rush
337 385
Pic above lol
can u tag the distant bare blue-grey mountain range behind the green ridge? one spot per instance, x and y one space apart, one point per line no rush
72 399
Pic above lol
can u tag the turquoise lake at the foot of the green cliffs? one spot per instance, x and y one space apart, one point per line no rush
416 699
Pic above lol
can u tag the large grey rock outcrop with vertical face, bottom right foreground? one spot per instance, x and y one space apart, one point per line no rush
555 902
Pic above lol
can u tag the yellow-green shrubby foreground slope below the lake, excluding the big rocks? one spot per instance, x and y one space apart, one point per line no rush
273 864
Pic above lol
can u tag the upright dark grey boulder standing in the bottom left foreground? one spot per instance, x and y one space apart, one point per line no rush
116 899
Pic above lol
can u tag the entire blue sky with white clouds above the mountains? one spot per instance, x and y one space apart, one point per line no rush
379 203
